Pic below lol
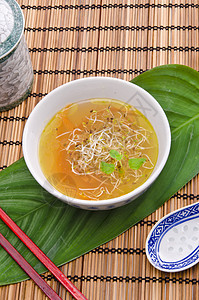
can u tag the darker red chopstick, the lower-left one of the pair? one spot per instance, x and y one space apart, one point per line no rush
50 293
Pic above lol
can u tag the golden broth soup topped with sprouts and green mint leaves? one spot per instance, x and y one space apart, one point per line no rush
98 149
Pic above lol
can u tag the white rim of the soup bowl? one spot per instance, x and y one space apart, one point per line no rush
92 203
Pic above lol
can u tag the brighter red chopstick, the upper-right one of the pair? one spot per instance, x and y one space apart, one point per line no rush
42 257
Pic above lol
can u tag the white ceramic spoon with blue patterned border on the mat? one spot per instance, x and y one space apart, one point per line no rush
173 243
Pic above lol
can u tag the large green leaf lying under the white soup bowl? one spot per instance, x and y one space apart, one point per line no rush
64 232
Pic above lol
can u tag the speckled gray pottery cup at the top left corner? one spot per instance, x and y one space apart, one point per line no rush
16 73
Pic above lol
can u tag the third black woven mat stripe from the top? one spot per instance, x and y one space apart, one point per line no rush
117 49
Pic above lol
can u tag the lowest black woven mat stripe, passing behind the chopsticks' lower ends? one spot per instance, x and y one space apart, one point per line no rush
126 279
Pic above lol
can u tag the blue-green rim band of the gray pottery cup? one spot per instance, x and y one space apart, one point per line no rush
10 44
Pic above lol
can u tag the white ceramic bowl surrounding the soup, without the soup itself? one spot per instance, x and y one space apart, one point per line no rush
87 88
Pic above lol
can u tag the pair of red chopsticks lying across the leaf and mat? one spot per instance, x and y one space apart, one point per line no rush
50 293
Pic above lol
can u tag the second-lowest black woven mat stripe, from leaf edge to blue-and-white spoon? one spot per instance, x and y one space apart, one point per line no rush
119 251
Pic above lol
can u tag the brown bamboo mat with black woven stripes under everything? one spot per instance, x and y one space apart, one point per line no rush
73 39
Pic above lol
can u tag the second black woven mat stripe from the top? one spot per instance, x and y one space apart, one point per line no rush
106 28
